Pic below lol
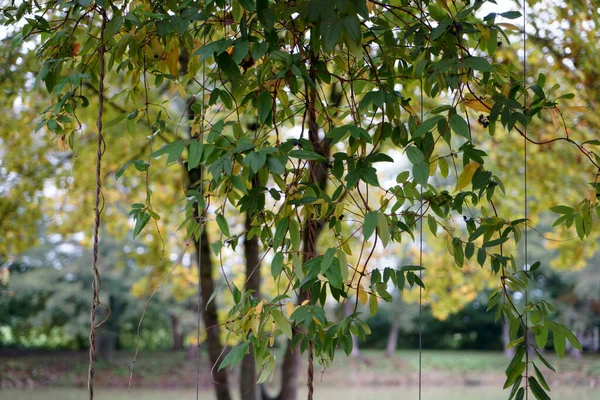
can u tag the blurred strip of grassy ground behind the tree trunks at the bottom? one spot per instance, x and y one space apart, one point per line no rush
170 370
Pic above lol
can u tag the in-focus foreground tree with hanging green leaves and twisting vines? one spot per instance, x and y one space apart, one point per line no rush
312 164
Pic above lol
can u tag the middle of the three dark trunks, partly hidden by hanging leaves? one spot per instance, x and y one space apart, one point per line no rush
248 386
